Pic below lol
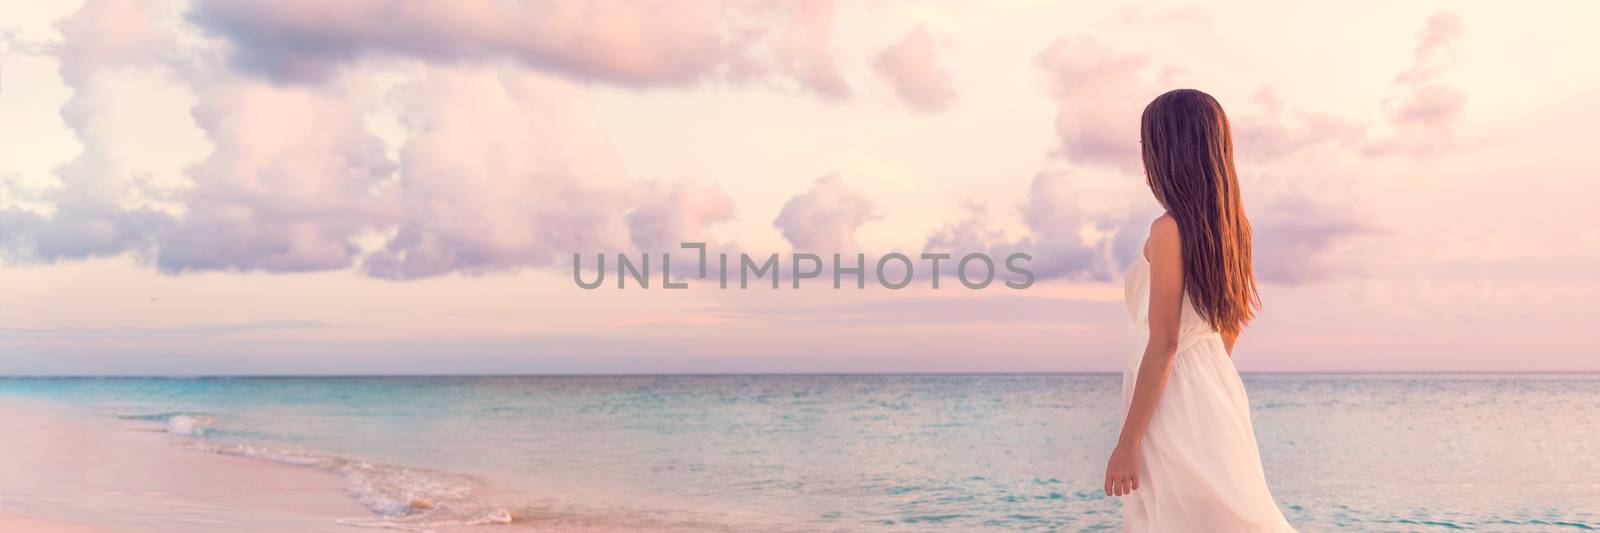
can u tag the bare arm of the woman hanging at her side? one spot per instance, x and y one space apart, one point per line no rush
1164 252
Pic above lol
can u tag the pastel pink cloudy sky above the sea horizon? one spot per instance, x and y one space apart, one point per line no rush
383 186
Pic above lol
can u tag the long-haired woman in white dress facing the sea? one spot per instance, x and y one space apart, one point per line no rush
1188 460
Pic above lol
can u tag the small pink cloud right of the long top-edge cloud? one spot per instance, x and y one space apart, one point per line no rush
913 68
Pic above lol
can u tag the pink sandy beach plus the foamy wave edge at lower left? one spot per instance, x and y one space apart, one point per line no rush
71 470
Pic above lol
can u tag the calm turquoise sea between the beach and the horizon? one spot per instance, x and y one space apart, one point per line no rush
876 454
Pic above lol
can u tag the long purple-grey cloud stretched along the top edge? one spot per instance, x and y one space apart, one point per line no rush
615 42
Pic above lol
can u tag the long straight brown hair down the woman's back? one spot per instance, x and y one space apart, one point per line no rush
1190 167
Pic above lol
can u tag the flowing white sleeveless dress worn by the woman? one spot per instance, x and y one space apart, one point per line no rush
1201 470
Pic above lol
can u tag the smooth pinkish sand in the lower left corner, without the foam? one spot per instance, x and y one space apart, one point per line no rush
74 471
